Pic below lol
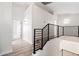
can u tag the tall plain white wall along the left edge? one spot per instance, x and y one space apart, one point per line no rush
5 27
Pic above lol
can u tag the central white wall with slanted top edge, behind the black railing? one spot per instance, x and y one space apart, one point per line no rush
40 17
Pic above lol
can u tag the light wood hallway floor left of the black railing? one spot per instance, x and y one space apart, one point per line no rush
20 48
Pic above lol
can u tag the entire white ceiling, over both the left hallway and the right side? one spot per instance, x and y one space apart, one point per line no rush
18 8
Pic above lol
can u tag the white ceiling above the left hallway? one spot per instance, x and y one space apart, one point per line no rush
18 10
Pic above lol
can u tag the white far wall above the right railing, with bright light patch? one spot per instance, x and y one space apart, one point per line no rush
70 19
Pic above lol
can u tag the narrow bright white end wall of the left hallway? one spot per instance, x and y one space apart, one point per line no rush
16 29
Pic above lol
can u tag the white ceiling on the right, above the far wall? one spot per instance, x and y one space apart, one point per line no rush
64 7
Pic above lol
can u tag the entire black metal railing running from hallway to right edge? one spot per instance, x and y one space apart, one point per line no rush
41 36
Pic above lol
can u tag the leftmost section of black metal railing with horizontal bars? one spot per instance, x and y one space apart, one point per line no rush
37 39
